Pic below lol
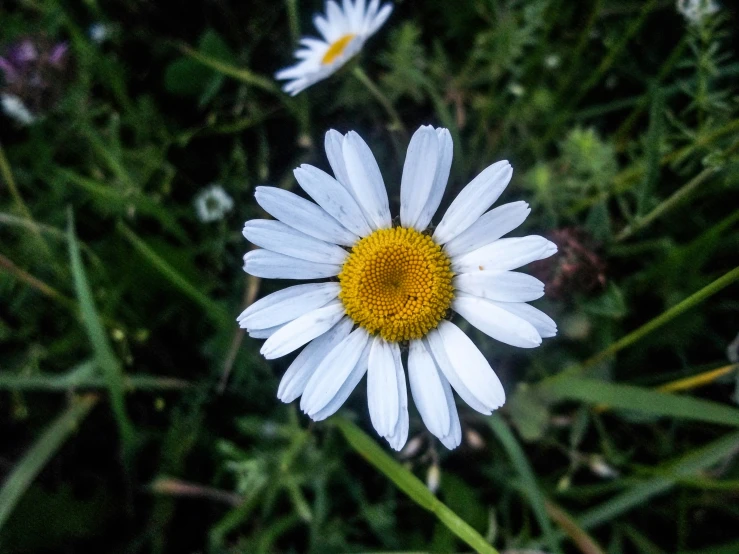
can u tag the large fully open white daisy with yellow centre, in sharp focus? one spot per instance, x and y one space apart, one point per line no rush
394 285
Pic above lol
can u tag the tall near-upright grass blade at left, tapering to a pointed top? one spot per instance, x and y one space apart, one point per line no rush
103 353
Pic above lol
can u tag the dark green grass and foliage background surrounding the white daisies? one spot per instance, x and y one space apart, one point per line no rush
137 417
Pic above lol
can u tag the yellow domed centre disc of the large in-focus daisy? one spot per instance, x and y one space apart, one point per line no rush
396 283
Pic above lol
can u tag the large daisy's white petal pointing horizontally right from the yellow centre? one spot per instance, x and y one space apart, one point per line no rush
505 286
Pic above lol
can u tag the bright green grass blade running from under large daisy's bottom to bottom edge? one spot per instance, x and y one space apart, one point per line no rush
411 485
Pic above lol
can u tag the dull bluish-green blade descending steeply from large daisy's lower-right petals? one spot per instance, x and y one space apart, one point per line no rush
528 479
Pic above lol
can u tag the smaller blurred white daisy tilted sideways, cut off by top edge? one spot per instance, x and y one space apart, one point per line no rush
344 30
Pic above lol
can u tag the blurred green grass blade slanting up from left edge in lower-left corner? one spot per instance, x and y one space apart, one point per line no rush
36 458
